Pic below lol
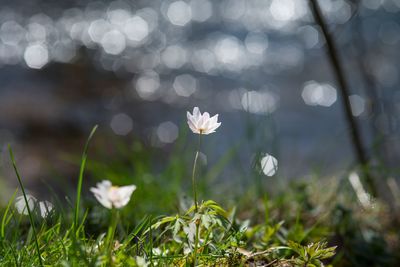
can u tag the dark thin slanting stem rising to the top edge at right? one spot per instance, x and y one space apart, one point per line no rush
344 91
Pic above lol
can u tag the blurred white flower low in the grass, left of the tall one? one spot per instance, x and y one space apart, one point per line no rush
112 196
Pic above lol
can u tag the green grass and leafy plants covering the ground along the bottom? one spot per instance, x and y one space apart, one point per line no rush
294 224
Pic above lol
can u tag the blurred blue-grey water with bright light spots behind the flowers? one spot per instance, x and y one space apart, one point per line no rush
136 67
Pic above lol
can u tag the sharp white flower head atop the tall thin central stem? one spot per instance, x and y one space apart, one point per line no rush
202 123
